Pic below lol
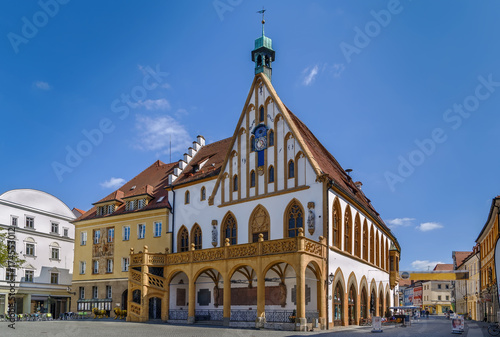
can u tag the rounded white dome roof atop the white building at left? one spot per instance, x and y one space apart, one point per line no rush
39 200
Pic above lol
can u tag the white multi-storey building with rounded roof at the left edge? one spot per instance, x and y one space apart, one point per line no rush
44 237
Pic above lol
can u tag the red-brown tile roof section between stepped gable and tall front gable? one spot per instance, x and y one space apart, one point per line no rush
211 156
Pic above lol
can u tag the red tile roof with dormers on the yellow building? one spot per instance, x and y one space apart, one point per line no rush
151 181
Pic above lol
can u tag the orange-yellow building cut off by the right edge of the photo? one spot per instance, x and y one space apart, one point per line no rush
486 240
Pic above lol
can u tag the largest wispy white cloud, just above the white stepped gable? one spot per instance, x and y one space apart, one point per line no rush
155 134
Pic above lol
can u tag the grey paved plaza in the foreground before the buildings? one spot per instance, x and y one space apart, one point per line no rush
434 326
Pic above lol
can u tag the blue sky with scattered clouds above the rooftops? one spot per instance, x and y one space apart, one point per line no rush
405 93
